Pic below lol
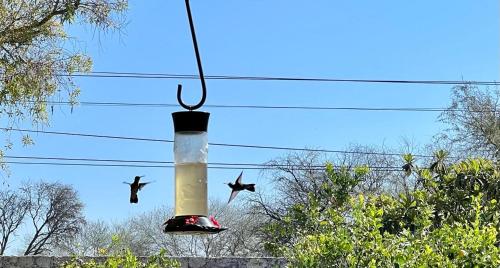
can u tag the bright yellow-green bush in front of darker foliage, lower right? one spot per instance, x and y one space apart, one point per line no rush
359 242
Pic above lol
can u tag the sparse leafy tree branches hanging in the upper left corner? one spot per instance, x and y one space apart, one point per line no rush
36 62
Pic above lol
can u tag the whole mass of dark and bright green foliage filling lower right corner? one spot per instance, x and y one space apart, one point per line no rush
452 220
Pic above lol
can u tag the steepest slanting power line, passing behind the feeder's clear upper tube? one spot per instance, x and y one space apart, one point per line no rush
213 144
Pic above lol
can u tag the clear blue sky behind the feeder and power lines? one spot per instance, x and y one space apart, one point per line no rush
428 40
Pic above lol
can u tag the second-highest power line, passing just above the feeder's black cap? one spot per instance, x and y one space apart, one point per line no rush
274 107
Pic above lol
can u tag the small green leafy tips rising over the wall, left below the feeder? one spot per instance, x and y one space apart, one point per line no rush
123 258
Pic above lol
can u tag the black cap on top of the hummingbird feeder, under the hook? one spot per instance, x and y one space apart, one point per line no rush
190 121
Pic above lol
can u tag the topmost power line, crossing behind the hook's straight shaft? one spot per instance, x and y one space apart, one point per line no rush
141 75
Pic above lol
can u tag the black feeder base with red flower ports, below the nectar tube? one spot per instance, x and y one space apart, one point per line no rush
191 225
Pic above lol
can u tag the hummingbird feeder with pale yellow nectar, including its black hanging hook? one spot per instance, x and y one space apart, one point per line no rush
190 155
